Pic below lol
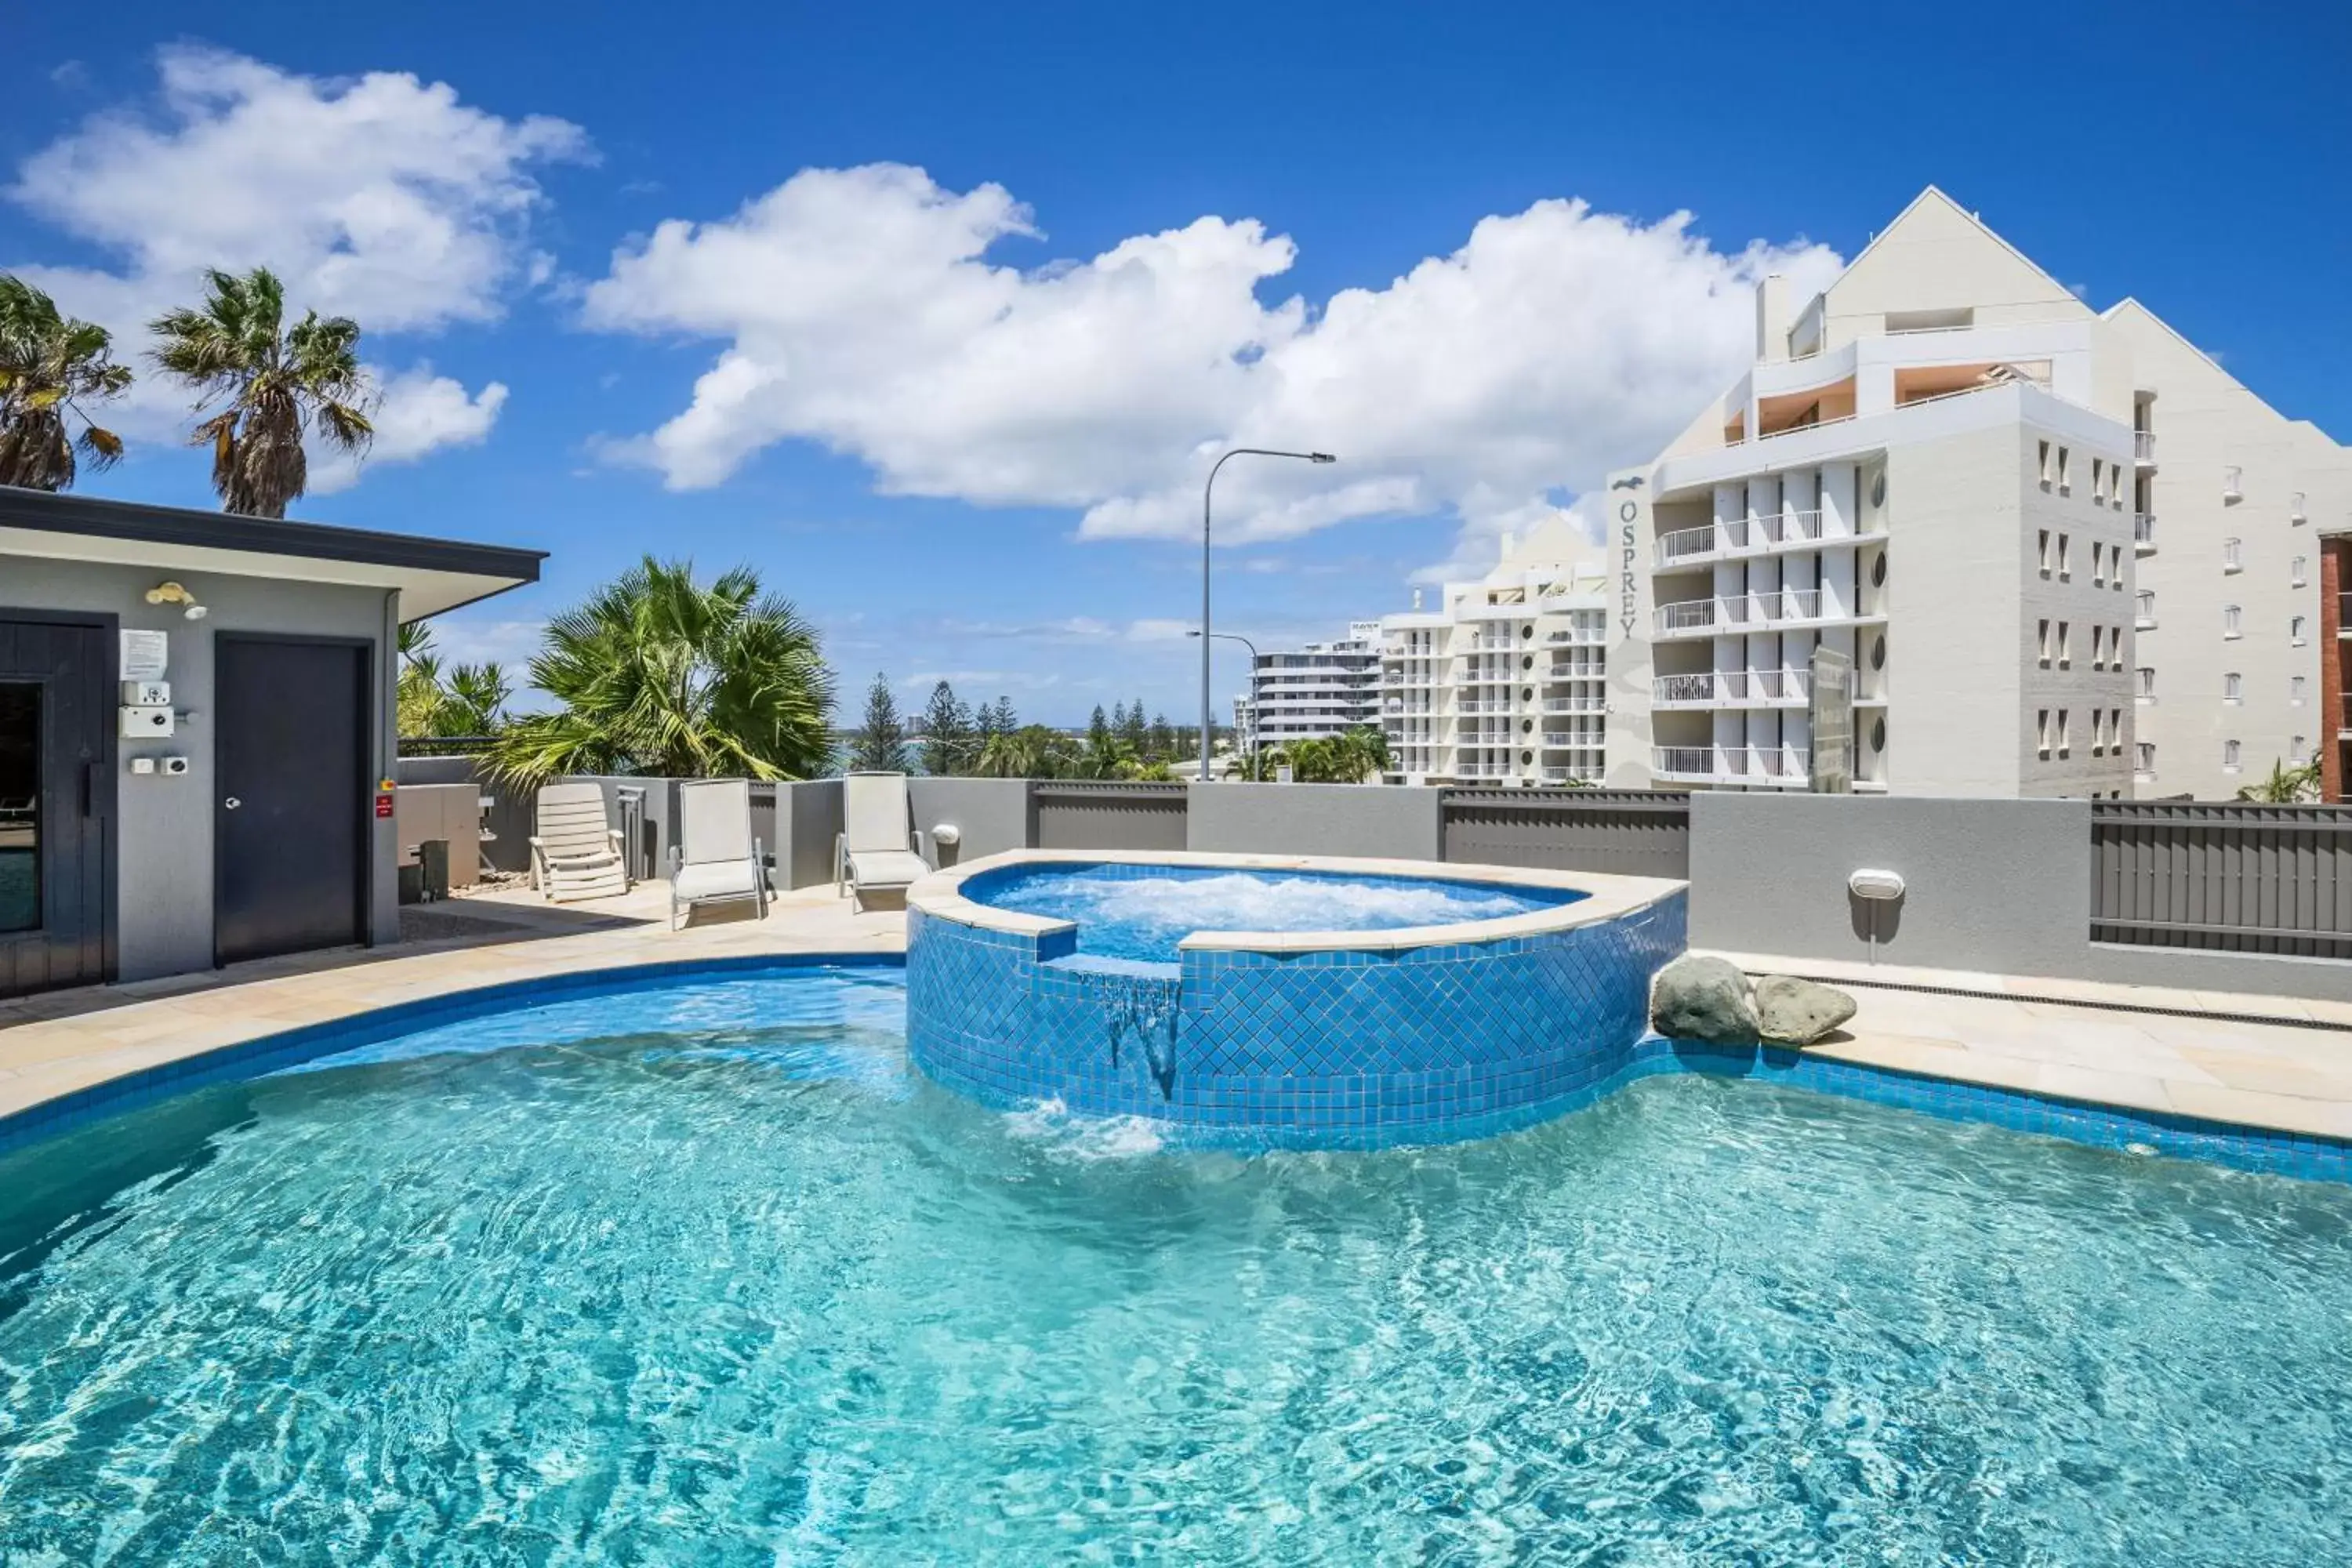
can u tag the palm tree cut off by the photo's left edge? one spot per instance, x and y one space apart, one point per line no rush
48 366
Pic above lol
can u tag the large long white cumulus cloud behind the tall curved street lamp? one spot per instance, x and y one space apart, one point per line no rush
871 311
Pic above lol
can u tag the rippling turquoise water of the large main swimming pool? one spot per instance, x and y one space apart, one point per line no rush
707 1278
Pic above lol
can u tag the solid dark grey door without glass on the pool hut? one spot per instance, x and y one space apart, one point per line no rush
293 812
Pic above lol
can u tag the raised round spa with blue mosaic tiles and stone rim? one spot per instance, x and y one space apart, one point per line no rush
1285 1000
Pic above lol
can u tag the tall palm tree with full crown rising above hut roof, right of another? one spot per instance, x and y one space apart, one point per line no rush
276 382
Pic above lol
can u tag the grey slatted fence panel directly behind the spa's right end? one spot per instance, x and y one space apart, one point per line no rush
1636 833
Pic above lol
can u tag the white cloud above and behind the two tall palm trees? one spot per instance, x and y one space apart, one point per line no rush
380 196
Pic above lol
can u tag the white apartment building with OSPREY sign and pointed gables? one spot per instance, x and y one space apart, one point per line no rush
2064 549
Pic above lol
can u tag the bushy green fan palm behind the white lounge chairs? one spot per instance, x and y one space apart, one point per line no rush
667 676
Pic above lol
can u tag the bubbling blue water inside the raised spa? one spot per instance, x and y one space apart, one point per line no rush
1144 911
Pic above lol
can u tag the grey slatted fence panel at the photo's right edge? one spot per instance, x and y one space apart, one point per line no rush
2224 878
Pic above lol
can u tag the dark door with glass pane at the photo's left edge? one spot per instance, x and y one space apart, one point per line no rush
58 796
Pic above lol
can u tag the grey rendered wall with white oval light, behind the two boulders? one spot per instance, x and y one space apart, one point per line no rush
1993 887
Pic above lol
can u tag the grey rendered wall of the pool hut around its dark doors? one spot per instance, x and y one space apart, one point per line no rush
163 850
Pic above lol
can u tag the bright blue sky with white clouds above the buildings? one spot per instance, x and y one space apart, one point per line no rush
935 311
